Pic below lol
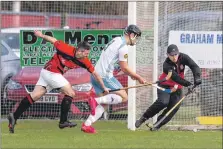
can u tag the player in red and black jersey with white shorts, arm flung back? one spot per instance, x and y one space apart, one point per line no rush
51 76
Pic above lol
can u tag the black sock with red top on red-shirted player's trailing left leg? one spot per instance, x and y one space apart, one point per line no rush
23 106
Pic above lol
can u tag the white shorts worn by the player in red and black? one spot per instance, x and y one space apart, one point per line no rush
51 80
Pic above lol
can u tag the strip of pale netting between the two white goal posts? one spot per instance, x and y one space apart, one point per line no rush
144 55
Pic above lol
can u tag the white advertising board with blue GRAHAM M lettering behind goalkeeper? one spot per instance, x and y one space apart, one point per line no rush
204 47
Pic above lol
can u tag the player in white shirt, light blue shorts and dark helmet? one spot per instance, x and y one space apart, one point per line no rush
115 51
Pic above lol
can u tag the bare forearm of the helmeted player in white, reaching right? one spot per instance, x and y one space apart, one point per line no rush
125 68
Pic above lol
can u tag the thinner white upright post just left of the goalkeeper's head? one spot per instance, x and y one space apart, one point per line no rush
155 52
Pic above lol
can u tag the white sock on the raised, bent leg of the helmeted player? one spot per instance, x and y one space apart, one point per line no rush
109 99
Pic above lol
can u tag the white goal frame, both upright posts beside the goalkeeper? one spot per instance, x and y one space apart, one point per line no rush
132 14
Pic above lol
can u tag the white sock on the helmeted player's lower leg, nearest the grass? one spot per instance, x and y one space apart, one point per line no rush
99 110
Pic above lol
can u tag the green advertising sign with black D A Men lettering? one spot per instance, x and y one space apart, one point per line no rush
36 51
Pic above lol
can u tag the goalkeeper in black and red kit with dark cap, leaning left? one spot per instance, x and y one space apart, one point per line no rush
176 62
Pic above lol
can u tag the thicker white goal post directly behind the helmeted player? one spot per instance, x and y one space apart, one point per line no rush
132 65
